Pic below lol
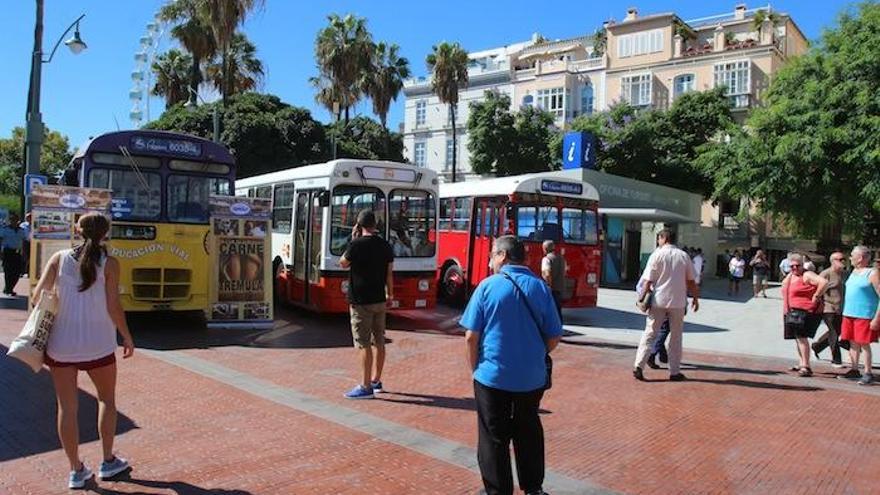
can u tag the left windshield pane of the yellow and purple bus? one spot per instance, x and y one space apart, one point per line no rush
140 198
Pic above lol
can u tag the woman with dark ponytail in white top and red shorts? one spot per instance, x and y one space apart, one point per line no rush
84 339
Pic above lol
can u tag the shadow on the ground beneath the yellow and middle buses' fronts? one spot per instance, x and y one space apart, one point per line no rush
292 329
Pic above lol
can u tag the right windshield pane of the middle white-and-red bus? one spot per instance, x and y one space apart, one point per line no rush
412 224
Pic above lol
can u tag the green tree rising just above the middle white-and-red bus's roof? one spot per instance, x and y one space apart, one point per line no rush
365 138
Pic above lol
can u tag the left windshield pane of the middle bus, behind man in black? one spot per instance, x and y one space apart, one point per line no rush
346 203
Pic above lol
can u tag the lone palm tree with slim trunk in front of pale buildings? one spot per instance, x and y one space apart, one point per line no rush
448 64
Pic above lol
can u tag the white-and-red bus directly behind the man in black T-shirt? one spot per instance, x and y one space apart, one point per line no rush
314 209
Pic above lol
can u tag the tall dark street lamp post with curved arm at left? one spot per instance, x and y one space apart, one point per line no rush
34 128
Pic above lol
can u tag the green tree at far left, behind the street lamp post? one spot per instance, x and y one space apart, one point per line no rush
55 156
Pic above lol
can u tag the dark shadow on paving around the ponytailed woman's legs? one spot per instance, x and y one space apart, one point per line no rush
29 420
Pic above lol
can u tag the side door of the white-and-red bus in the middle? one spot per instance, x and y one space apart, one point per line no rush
307 234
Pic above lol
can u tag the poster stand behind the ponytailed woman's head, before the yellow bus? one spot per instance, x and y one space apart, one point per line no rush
55 210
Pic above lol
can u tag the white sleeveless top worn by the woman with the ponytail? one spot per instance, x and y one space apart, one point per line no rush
83 329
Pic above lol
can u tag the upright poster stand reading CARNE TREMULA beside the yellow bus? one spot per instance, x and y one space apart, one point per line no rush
241 278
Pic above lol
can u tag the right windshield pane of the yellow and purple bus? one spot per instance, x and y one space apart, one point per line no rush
188 197
